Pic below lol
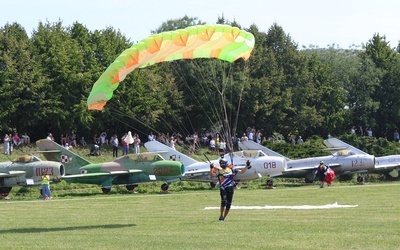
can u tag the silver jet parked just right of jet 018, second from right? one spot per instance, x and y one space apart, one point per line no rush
343 160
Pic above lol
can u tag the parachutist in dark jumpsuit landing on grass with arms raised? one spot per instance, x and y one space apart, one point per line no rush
225 174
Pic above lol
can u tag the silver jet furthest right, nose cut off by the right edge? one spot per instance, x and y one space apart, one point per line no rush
388 165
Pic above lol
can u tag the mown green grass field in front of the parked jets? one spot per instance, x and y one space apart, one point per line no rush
178 220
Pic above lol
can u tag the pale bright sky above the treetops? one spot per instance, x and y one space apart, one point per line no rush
316 22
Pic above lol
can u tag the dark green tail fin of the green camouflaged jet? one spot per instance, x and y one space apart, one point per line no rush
53 151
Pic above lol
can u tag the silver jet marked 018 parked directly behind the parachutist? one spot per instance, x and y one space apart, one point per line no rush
262 164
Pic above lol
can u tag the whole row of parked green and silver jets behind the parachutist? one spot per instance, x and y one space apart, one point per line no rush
163 163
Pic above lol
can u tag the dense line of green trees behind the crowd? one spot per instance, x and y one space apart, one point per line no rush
46 77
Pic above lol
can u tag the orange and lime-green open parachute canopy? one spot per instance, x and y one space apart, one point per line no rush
201 41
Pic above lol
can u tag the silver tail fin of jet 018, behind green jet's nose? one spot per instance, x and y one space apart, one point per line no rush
168 153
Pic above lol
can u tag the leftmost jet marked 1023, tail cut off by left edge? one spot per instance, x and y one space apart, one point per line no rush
26 171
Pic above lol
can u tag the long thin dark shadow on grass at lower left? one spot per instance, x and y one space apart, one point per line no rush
53 229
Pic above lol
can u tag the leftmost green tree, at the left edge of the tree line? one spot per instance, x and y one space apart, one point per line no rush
21 84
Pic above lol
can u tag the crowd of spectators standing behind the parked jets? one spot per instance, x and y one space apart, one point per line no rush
217 142
